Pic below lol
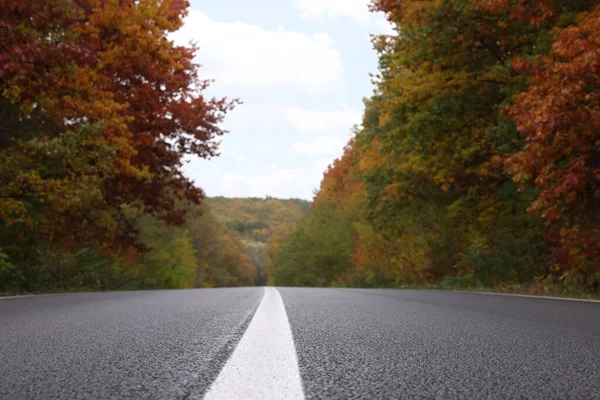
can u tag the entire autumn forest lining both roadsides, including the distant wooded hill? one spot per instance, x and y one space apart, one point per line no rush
476 165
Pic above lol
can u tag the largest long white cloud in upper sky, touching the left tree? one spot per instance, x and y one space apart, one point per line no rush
248 55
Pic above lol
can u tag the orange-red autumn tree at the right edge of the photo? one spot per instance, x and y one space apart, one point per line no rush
559 115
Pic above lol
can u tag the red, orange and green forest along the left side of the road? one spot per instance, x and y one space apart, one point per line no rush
98 111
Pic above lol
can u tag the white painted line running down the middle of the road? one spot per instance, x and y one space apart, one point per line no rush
264 364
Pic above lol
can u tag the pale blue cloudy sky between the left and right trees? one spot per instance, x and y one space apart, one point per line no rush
301 69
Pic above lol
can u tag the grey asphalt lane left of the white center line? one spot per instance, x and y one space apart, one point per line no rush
126 345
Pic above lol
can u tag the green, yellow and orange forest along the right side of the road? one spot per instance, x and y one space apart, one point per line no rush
477 163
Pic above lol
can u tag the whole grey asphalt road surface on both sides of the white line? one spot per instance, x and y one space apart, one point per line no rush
348 344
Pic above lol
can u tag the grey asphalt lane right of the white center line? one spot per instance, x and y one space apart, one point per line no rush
395 344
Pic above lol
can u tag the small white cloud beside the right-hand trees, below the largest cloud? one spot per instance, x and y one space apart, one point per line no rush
322 121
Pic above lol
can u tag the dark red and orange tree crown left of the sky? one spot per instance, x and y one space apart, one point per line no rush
70 64
